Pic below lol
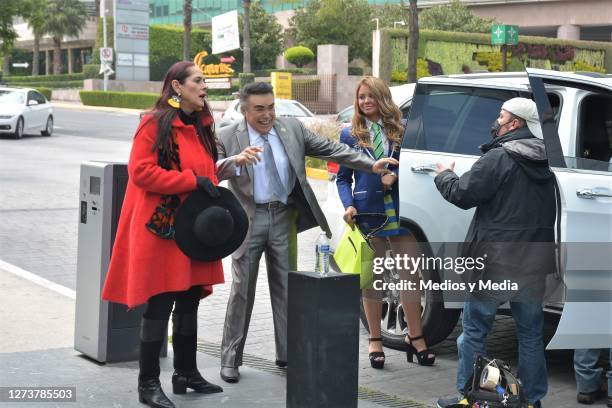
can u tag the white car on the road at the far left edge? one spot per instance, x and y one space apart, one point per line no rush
24 111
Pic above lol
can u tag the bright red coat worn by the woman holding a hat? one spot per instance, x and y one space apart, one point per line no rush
142 264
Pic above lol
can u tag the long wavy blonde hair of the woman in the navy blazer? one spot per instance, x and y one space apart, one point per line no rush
388 110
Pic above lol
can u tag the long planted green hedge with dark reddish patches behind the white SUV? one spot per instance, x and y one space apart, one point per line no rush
453 49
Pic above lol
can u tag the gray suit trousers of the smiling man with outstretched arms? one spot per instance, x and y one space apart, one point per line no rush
270 234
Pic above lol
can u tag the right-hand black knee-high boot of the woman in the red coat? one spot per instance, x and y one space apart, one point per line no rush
186 374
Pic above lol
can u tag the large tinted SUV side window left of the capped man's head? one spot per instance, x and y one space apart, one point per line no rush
453 119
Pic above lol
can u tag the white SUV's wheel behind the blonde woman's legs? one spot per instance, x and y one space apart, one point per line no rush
438 322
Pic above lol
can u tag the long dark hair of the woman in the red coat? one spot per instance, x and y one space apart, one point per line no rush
165 114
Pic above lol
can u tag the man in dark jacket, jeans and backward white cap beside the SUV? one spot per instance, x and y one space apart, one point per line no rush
512 188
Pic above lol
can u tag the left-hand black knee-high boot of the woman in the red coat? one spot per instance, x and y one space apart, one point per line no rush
152 334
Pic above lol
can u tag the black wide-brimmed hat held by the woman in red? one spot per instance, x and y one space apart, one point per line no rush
208 229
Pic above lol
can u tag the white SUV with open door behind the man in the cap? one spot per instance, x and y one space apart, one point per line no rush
449 118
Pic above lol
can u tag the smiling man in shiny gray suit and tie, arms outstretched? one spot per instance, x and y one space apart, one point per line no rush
263 157
